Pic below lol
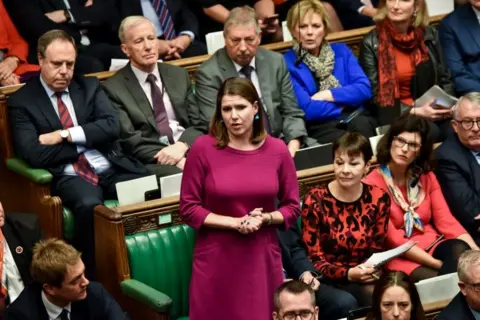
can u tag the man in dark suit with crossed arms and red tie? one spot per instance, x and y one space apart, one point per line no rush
69 127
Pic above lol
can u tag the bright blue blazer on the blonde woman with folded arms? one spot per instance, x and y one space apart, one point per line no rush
354 91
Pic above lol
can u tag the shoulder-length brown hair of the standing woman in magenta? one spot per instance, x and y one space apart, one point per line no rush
237 87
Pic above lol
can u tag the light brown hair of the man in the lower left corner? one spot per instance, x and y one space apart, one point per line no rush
50 260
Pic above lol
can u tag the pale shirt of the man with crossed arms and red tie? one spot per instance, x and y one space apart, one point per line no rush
96 160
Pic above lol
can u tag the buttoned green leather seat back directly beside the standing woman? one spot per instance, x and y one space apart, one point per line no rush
162 259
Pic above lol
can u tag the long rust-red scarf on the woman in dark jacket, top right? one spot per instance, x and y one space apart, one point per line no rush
388 39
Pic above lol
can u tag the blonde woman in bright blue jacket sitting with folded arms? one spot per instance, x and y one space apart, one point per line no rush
328 81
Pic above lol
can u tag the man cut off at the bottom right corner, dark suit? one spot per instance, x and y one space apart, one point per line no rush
466 304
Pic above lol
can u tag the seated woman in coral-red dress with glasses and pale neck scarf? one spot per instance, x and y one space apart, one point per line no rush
418 209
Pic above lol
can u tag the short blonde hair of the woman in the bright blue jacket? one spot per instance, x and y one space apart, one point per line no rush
298 12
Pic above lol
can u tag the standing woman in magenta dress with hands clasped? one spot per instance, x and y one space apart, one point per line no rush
231 183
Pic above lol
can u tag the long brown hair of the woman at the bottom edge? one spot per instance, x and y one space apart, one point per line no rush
398 279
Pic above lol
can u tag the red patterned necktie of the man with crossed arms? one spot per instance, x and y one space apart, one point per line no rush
81 166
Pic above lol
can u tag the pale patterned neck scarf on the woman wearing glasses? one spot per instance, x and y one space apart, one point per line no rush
415 194
